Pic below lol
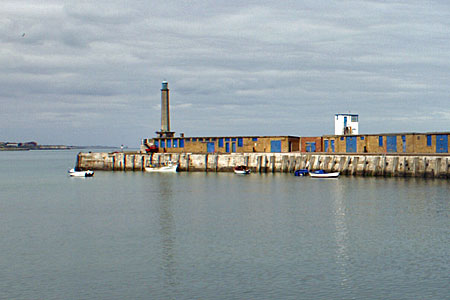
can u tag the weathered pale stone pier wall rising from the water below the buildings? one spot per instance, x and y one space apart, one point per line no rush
434 166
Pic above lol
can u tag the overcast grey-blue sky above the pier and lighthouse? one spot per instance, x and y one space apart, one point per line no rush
90 72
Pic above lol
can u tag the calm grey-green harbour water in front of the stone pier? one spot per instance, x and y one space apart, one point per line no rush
217 236
